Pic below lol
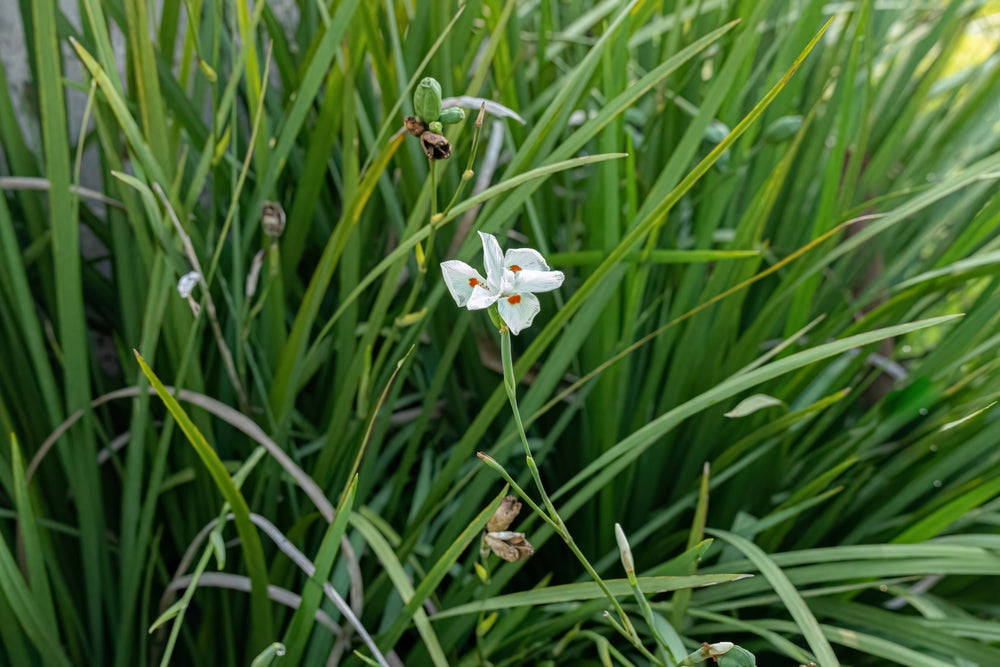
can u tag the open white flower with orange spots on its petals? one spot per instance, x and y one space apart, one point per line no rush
510 281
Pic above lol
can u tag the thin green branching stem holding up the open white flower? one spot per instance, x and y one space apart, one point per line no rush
553 517
